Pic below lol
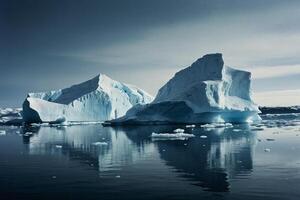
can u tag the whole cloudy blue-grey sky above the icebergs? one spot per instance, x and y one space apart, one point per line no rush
46 45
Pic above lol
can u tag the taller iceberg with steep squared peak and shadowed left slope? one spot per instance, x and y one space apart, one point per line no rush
205 92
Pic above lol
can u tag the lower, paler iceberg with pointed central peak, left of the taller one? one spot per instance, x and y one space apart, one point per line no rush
98 99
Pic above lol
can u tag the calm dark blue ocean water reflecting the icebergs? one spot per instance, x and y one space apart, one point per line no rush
258 161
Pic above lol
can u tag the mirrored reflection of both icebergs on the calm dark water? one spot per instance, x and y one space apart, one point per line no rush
209 163
